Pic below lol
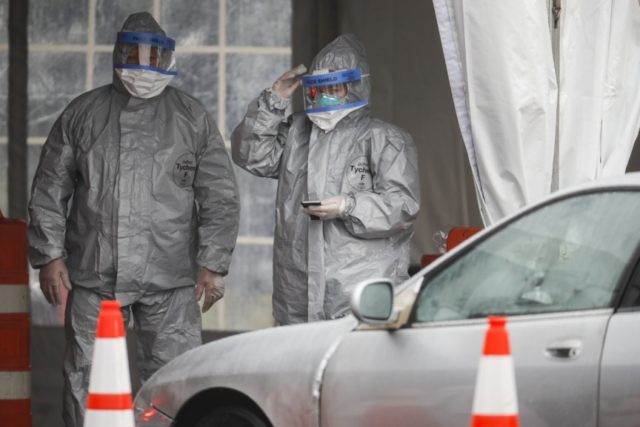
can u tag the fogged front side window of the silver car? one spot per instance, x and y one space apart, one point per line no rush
568 255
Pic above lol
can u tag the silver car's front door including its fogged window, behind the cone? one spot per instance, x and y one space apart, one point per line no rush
556 272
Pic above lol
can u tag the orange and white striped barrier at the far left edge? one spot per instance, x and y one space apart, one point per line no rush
15 367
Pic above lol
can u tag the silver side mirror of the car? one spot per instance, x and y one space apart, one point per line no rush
372 301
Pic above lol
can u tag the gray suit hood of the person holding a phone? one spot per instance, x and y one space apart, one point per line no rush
346 52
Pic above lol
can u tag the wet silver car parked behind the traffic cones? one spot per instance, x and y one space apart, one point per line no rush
566 274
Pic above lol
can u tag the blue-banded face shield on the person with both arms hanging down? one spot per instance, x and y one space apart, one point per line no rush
145 51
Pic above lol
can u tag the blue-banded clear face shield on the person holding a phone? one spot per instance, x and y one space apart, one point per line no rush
331 91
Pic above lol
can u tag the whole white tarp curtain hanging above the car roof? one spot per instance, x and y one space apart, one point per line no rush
499 59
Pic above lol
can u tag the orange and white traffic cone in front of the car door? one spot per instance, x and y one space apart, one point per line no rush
495 403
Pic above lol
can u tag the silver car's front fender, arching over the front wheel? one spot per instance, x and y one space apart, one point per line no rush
279 368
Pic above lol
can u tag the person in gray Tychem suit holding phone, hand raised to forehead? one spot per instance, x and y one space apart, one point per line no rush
348 186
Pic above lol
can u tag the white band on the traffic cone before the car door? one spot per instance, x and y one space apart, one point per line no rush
495 387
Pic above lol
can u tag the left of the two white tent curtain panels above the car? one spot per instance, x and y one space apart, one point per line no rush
508 82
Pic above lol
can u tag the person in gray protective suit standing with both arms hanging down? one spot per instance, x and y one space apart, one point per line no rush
134 199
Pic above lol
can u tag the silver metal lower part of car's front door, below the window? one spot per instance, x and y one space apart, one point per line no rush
425 375
